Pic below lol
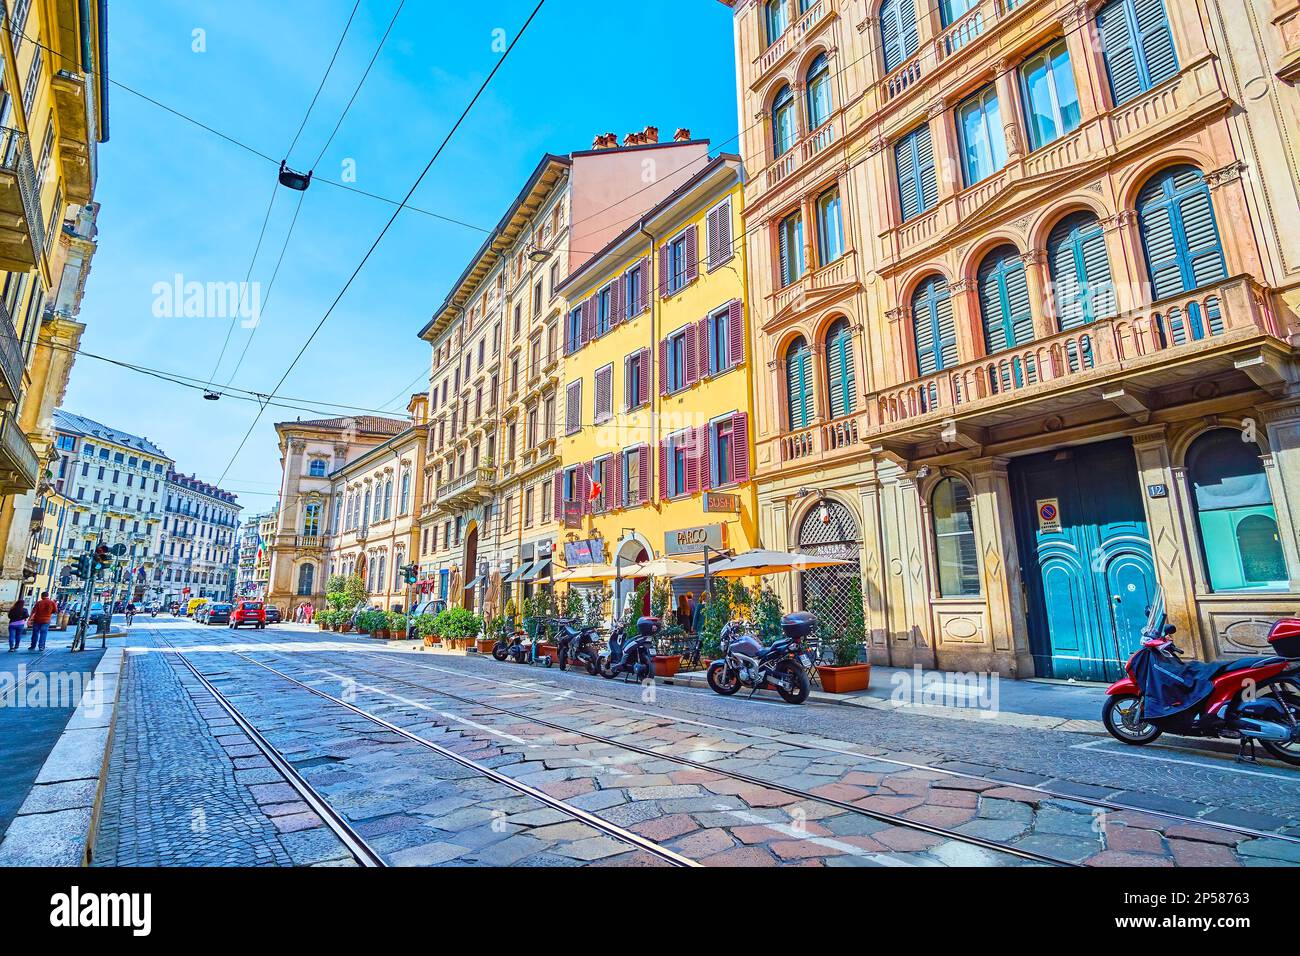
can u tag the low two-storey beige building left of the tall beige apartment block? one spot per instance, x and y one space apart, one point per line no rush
374 513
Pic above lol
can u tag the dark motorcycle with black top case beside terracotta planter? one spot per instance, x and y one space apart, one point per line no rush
785 667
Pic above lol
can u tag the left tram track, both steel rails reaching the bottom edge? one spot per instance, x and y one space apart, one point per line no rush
357 845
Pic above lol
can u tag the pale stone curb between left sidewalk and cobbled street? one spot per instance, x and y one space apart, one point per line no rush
57 824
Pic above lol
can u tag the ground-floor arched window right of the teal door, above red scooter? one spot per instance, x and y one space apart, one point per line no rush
1236 514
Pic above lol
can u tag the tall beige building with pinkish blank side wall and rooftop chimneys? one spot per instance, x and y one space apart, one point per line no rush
496 382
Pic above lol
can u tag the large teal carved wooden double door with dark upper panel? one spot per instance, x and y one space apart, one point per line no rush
1086 559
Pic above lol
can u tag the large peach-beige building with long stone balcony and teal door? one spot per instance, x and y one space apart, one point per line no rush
1026 293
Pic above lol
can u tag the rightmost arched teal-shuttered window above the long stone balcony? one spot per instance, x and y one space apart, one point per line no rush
1180 233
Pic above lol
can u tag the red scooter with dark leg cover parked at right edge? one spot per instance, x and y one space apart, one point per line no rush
1247 699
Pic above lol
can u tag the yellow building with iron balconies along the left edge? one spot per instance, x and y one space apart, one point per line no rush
54 114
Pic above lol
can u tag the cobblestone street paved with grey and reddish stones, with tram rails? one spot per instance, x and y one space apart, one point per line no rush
457 760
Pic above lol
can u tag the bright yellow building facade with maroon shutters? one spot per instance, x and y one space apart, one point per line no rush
658 387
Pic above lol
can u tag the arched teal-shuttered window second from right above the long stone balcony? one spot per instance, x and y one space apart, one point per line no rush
1082 285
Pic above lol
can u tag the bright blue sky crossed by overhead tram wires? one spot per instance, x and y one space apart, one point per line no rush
180 201
